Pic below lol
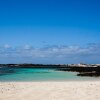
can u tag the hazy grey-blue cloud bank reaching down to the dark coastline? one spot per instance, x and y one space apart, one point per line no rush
89 53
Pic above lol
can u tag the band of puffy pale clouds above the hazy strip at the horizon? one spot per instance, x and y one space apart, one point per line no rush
67 53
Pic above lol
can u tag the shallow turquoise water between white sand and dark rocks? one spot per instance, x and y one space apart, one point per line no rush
34 74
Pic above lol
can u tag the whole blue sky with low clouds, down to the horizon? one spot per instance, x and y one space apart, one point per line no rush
49 31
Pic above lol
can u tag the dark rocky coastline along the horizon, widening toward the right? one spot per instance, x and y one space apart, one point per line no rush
92 70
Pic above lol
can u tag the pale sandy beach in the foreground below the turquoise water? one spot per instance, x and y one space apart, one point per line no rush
87 90
